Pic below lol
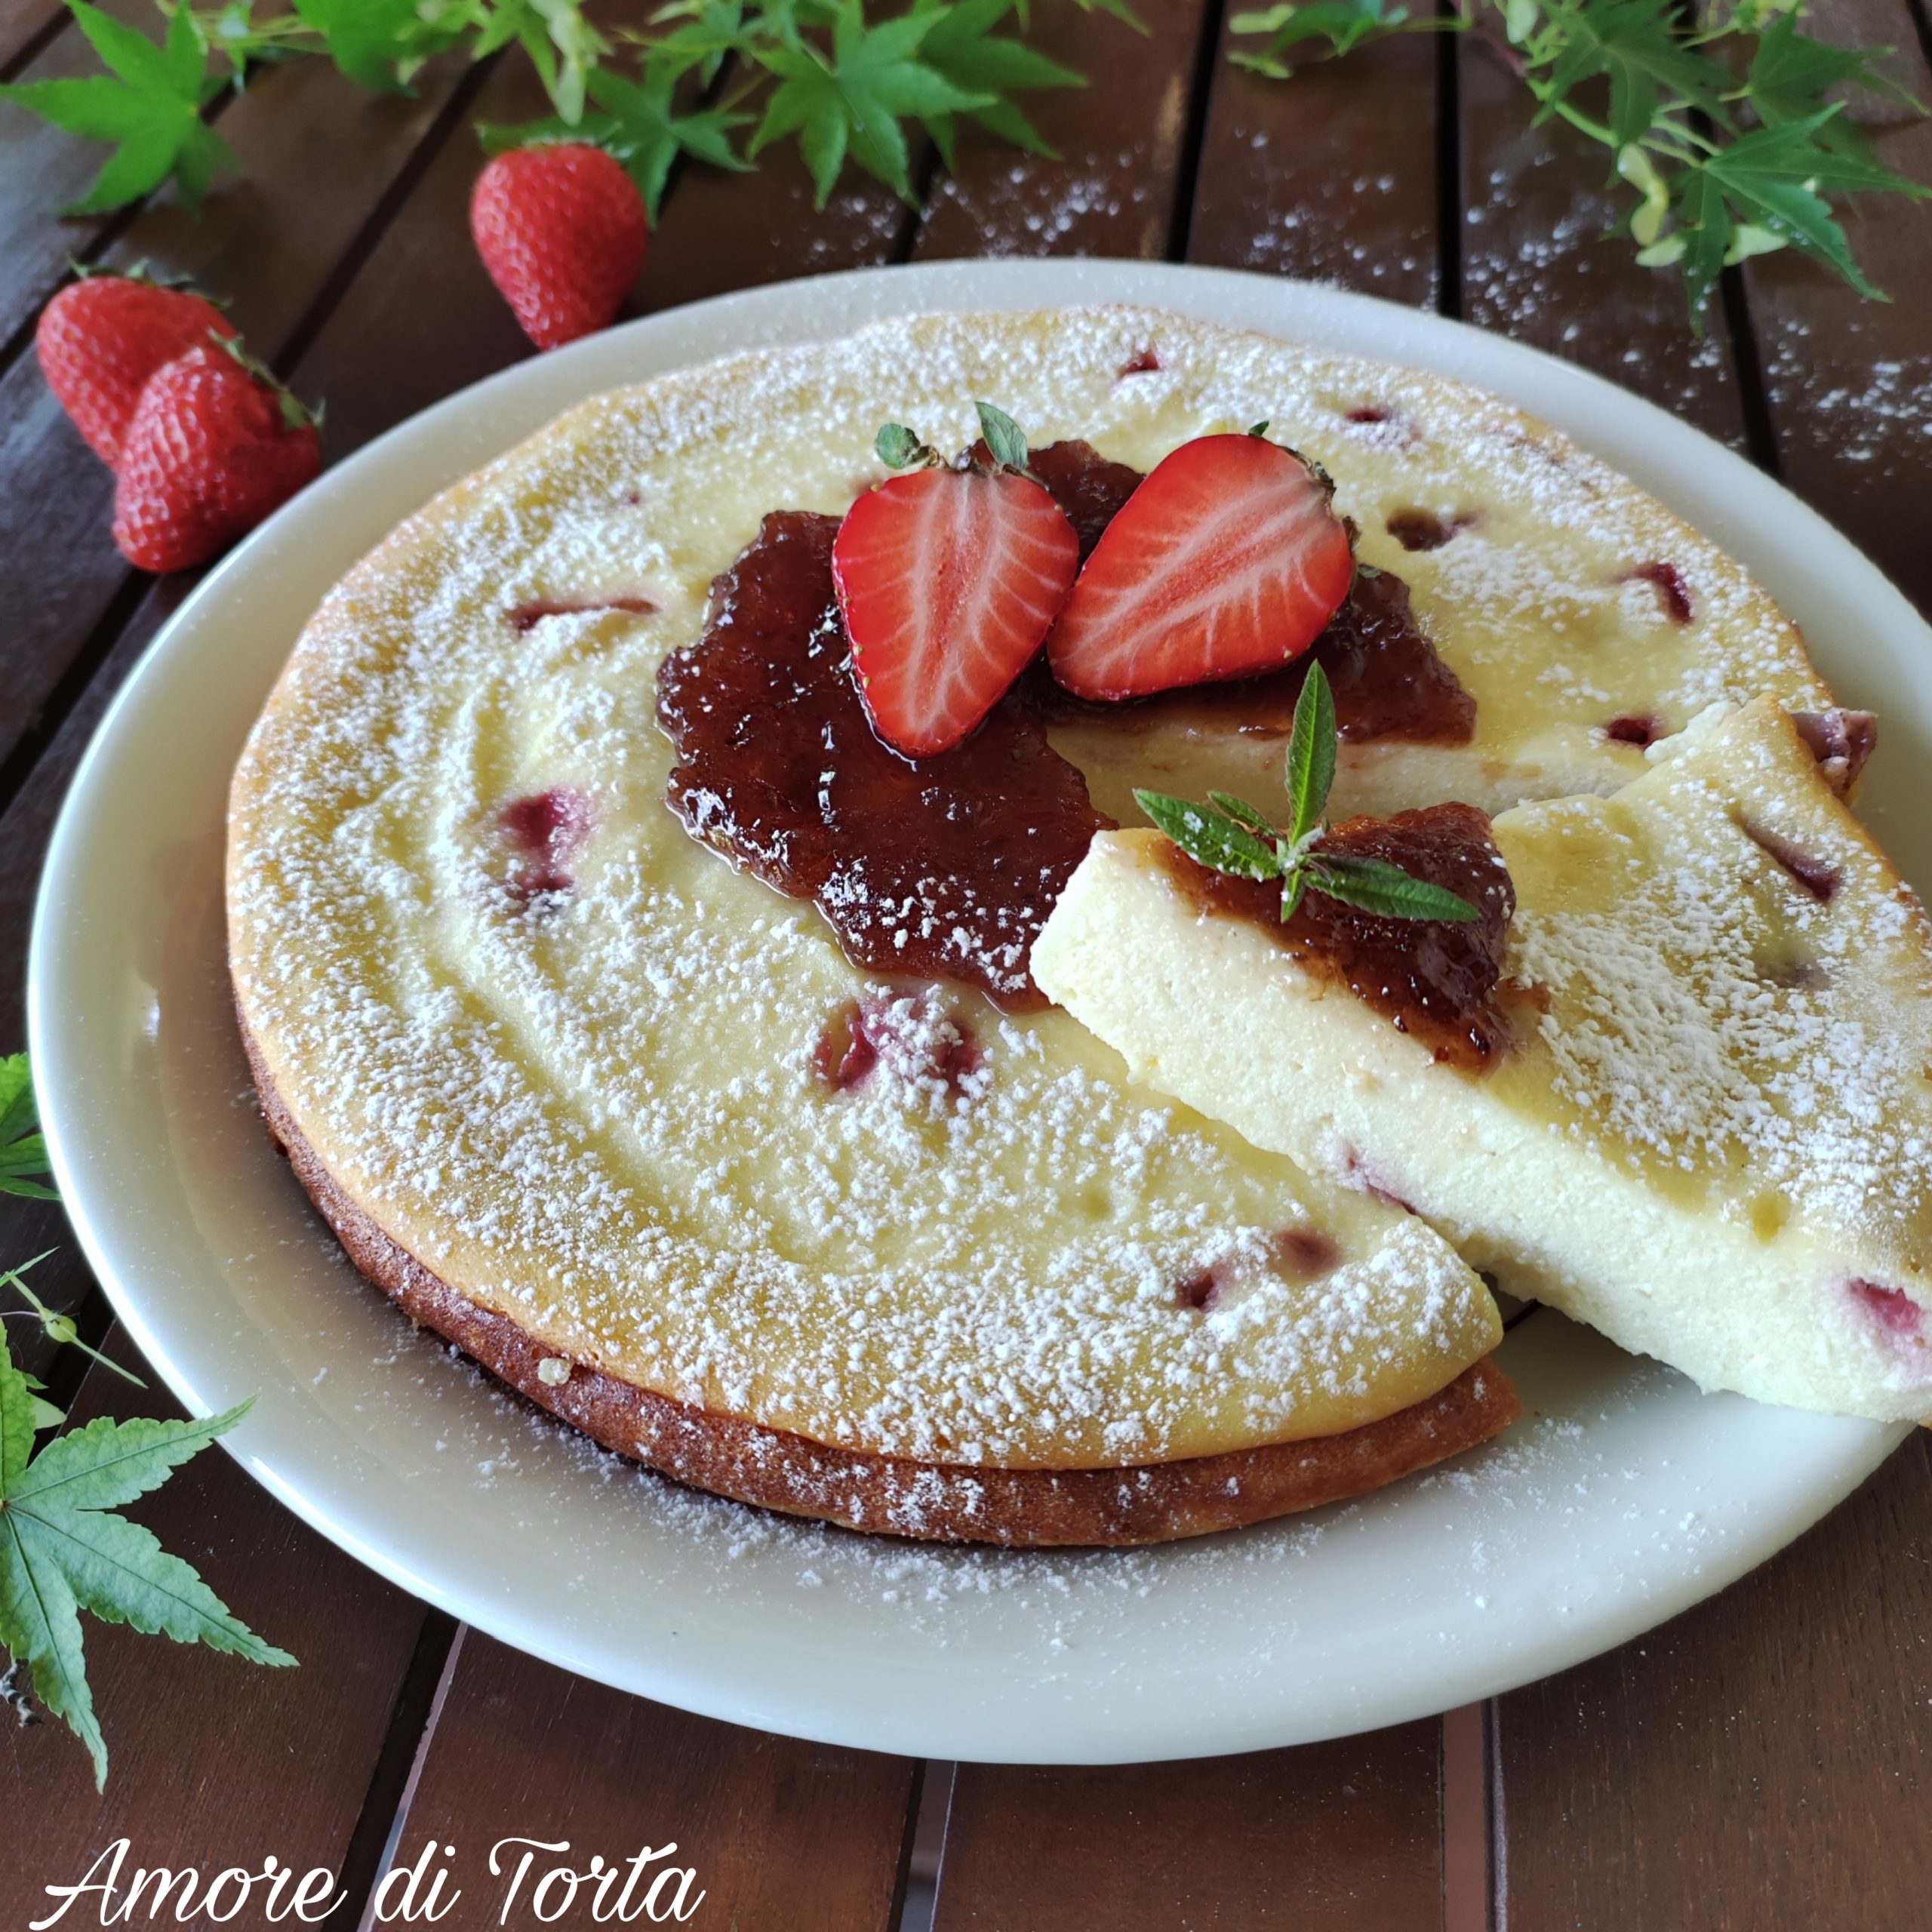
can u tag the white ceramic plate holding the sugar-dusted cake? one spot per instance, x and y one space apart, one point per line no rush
1620 1500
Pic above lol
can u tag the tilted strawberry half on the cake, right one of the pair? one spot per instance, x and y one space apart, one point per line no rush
1228 561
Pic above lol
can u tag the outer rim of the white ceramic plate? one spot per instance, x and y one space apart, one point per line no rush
845 300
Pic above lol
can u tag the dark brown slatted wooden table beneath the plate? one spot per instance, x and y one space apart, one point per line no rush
1759 1763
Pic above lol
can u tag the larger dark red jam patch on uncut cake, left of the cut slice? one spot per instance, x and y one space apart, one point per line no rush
926 868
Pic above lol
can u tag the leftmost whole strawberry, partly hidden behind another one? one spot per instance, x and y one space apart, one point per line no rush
103 337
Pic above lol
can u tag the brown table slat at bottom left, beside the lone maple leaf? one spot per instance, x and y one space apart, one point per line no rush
213 1761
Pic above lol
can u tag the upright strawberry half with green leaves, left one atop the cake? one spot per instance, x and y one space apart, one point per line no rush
948 582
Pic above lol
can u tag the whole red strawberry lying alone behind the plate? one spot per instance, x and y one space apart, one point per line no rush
561 231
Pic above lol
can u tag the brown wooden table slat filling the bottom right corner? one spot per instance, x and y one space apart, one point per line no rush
1757 1763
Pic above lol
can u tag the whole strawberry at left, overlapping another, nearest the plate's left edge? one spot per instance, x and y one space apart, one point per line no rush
213 447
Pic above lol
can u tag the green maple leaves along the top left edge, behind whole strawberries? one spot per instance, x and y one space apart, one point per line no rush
820 72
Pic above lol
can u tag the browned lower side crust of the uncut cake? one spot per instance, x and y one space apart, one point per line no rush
776 1469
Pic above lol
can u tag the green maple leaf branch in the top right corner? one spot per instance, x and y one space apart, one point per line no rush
1732 138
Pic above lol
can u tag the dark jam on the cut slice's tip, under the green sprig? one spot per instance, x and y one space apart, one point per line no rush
1435 979
